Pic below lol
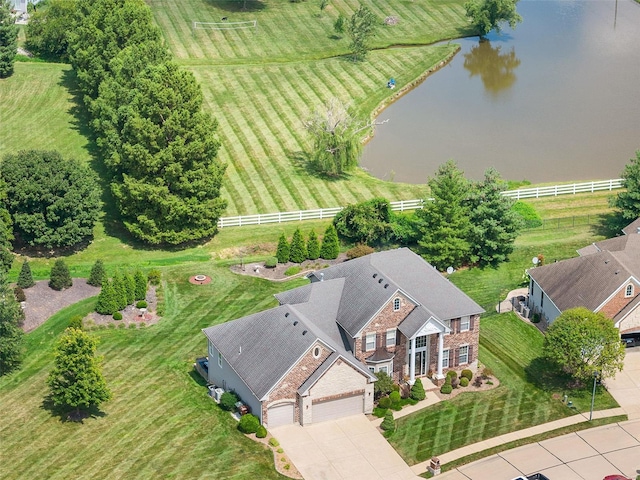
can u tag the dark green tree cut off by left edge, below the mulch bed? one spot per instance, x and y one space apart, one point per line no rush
11 334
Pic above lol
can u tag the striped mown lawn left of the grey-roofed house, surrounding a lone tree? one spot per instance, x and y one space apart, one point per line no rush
160 423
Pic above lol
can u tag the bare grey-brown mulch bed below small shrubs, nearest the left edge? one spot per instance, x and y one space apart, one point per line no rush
43 301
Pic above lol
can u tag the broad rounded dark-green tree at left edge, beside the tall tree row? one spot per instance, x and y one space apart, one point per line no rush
54 202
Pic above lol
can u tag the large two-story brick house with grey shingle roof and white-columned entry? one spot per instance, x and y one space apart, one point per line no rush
315 356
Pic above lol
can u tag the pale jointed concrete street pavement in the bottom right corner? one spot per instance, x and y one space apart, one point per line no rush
587 455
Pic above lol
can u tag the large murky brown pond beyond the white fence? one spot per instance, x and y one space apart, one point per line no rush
556 99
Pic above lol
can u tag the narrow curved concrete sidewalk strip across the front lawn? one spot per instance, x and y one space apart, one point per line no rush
517 435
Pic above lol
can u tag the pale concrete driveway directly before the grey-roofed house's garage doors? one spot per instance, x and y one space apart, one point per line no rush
348 448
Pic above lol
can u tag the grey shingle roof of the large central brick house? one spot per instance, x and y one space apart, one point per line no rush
263 347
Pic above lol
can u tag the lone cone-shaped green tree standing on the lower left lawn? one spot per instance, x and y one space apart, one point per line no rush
76 380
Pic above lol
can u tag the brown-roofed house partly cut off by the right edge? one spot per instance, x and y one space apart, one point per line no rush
604 278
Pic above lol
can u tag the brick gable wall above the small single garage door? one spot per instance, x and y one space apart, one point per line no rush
288 387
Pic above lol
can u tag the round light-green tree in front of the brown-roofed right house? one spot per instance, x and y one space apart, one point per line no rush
582 343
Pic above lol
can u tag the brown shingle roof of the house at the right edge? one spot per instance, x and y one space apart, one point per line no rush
589 280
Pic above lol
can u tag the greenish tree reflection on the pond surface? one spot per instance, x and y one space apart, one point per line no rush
496 69
